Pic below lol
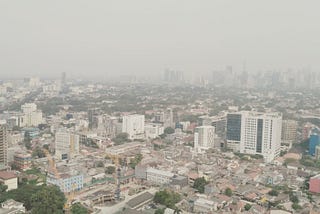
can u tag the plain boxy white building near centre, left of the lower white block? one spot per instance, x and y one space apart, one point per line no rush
133 125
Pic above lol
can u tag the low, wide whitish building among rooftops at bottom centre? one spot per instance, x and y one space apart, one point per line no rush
158 177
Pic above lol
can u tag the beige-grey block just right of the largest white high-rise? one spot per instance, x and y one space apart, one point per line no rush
289 131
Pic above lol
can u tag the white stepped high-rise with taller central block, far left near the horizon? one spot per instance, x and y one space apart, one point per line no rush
31 116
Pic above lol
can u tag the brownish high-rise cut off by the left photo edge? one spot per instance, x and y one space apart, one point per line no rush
3 145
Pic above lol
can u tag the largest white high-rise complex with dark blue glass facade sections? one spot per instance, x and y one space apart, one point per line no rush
255 133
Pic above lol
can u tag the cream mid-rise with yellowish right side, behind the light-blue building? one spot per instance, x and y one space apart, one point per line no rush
66 144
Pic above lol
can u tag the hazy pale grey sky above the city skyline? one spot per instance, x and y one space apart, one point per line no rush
102 37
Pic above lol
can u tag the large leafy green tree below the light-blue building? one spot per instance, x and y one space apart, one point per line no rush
48 200
